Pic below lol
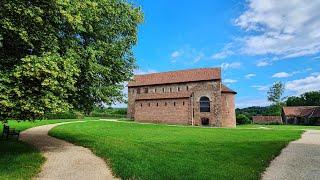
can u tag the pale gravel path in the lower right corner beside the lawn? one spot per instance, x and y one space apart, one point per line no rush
299 160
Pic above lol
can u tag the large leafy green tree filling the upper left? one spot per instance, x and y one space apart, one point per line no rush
82 49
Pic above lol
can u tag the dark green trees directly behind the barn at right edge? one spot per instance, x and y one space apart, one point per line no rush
306 99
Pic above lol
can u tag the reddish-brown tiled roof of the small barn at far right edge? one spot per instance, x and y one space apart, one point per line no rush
302 111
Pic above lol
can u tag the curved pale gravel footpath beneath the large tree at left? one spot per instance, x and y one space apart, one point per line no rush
65 160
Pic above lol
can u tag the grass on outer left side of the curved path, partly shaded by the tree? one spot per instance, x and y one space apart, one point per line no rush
19 160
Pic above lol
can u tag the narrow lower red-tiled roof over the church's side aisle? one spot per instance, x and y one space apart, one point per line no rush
174 95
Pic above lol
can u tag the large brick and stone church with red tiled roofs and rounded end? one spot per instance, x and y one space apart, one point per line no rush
189 97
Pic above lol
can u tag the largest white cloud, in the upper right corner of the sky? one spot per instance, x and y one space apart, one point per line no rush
280 28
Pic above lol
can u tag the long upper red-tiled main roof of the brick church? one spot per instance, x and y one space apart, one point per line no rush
190 75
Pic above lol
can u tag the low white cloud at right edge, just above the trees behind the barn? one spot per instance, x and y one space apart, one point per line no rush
310 83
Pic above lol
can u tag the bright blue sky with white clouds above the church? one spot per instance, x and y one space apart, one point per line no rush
255 42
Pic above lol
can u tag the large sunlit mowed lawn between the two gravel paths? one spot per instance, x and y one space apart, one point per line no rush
140 151
